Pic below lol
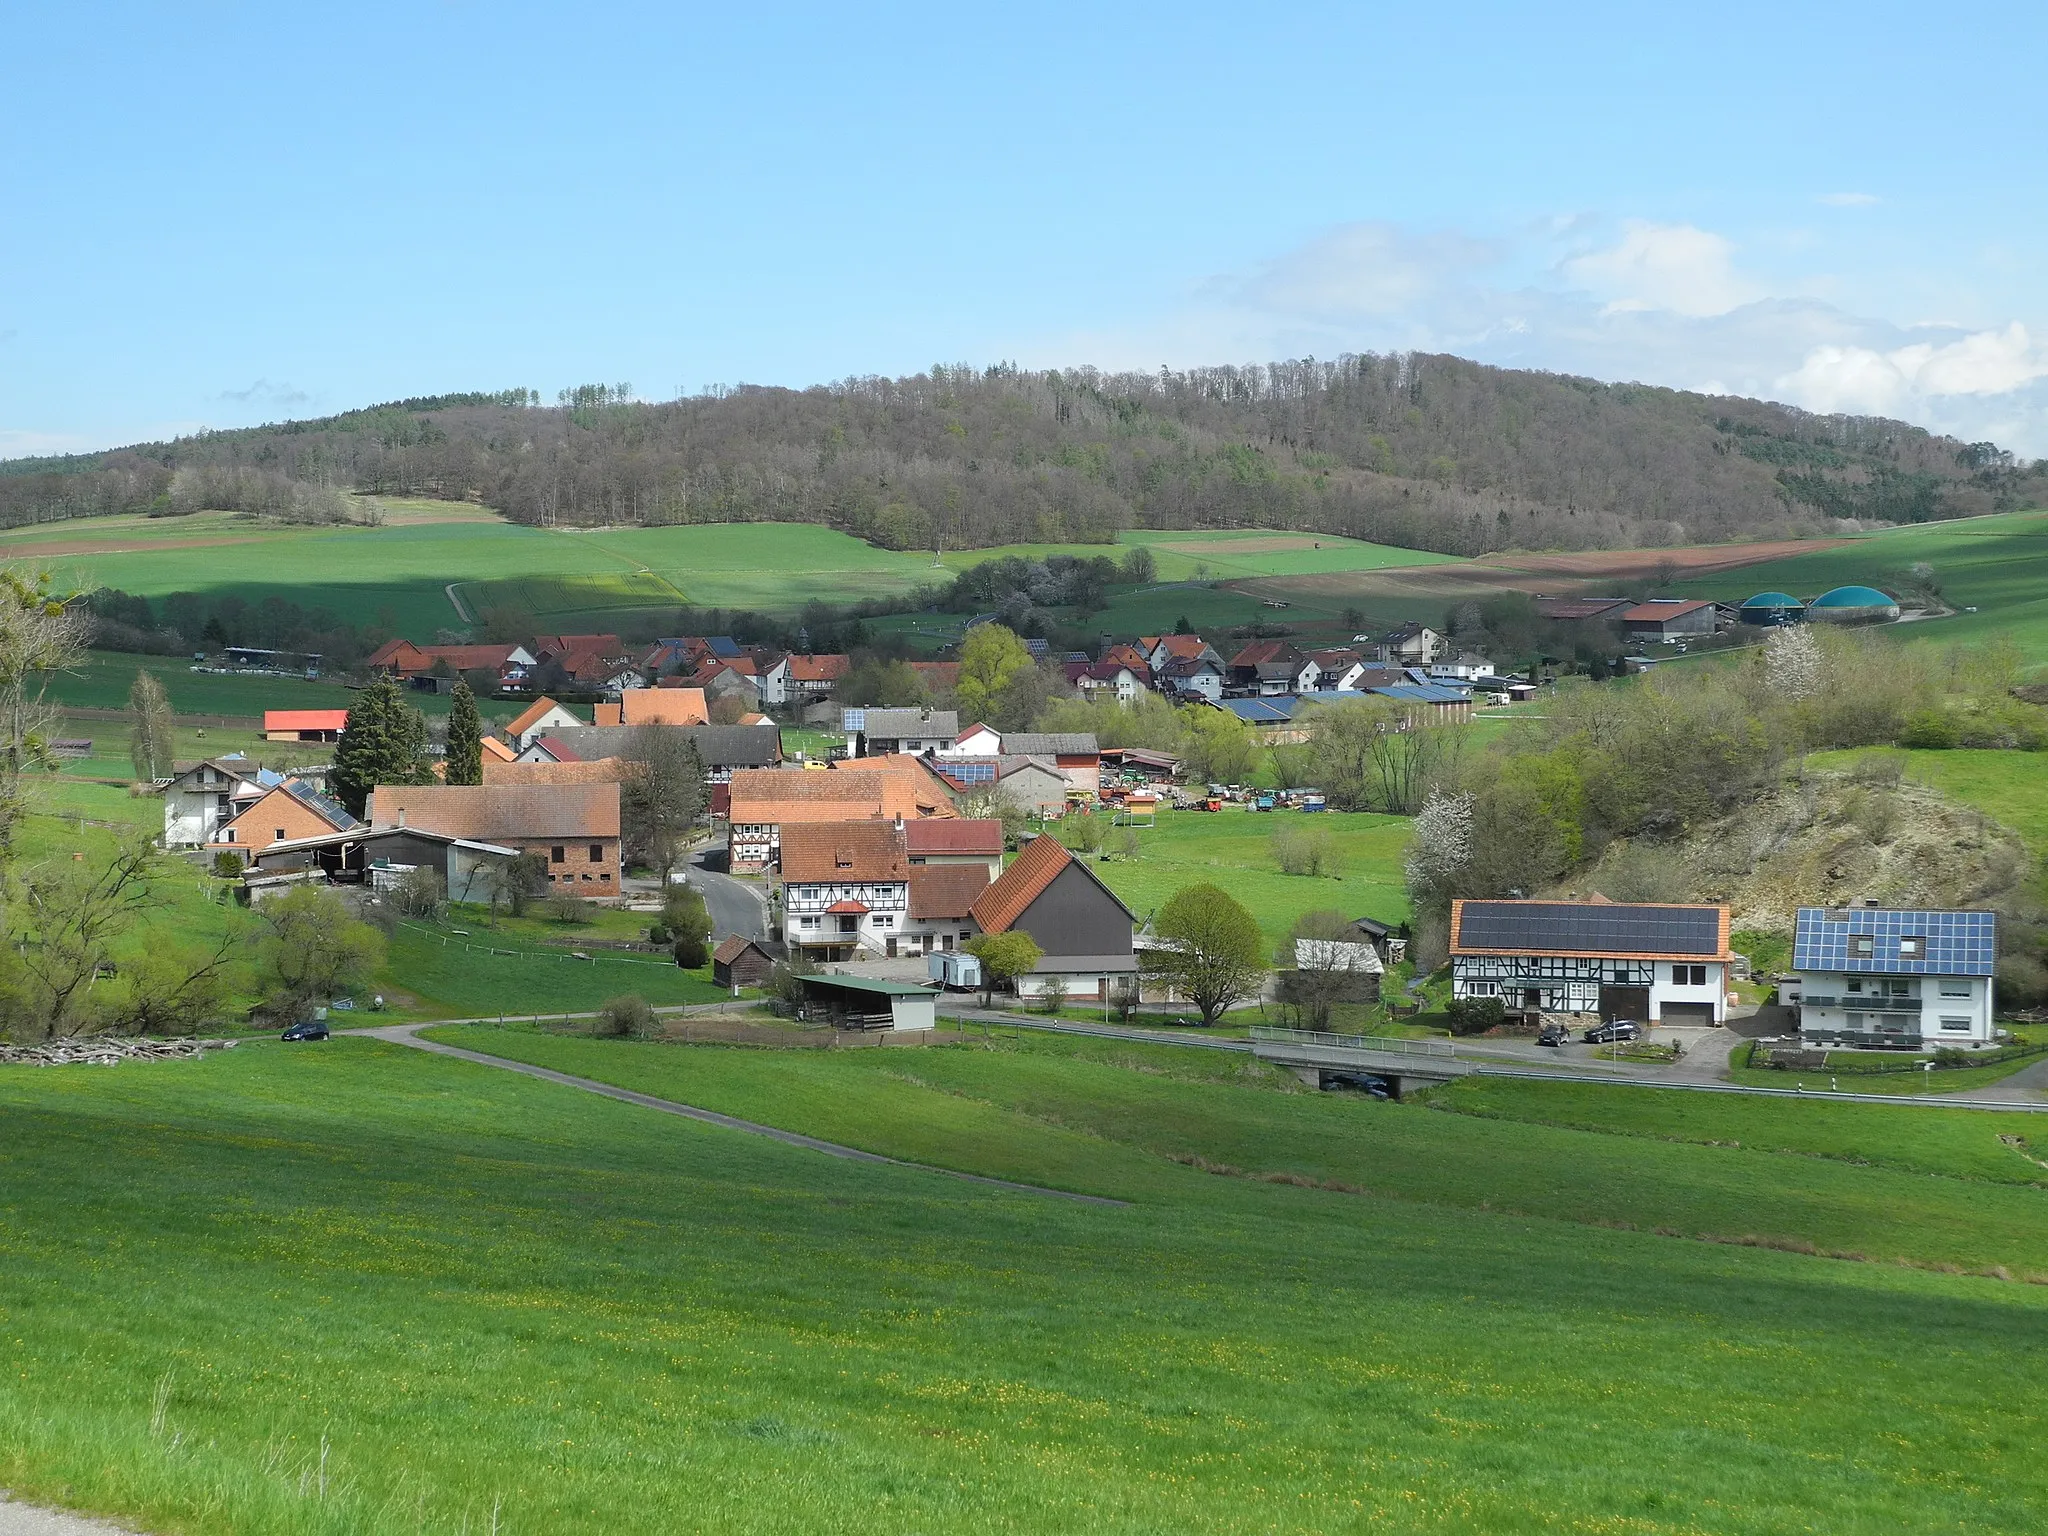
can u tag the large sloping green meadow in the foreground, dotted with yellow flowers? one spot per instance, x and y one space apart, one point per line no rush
355 1289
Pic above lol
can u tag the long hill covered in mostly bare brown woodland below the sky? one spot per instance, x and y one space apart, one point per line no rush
1410 450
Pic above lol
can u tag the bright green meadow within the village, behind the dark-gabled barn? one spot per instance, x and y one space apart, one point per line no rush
1234 849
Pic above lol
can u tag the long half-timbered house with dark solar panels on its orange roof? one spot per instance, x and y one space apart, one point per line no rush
1660 964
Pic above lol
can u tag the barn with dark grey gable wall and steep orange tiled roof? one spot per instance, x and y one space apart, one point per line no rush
1076 921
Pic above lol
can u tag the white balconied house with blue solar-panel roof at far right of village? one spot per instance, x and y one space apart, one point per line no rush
1910 980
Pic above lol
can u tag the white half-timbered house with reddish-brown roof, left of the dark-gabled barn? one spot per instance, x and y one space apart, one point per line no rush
845 890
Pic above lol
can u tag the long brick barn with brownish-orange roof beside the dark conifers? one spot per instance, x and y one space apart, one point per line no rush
572 826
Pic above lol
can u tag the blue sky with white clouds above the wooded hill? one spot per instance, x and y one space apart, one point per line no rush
226 214
